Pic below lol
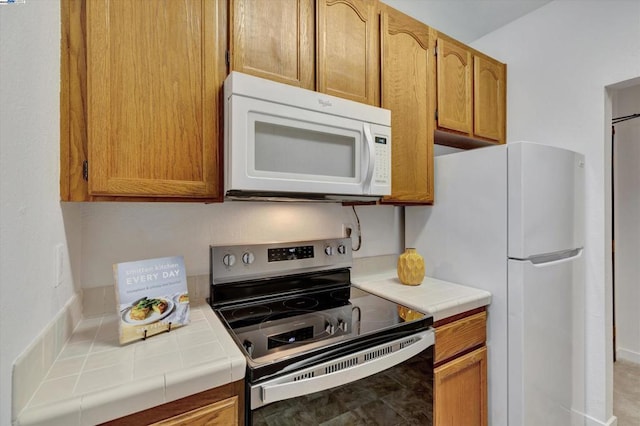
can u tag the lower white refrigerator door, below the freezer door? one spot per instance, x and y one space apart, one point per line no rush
546 342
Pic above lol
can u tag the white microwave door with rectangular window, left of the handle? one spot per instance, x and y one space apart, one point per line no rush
278 148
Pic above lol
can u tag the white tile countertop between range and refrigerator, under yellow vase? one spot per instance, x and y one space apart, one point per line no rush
439 298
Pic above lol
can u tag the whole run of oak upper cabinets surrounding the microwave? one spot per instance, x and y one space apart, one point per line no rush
141 87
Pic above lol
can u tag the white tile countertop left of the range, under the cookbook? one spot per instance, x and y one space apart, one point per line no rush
95 379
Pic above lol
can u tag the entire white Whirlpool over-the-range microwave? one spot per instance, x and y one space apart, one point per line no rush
284 142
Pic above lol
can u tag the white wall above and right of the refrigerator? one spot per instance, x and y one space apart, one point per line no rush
560 58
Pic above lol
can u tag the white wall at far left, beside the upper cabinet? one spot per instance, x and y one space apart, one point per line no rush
31 219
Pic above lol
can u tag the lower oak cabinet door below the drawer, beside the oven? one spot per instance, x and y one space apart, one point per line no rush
460 391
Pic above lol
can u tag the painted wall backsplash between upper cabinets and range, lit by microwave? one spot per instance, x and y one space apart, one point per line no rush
120 232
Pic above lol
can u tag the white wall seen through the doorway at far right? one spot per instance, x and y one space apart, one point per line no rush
627 226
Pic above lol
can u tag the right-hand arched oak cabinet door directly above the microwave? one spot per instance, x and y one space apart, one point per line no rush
348 49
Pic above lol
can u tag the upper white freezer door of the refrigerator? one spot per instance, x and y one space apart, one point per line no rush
546 199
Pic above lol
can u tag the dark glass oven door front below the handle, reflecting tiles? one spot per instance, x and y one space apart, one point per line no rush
399 396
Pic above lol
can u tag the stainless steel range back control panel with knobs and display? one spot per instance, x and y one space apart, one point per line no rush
249 261
